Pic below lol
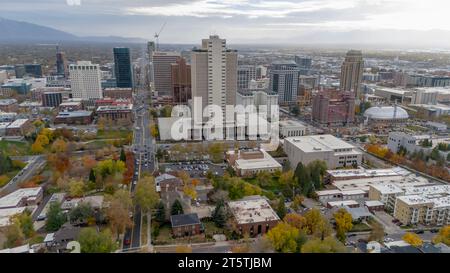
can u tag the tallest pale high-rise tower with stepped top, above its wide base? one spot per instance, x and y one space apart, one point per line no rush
214 73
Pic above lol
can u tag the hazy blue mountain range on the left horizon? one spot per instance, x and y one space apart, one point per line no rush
18 31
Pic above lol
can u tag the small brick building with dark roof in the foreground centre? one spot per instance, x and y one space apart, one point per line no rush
186 225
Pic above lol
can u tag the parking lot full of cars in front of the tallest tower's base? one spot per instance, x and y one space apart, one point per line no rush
195 169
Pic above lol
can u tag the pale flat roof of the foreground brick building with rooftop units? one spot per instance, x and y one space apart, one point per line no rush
253 209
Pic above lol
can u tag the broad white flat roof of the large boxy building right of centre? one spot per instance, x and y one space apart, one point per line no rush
319 143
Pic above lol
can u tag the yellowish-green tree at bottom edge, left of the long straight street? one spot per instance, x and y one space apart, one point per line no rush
92 241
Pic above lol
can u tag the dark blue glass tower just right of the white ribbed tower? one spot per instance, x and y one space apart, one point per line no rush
122 67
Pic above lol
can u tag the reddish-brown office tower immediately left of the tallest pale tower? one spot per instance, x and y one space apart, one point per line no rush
181 81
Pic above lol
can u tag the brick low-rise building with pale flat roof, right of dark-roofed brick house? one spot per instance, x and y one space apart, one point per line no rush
253 215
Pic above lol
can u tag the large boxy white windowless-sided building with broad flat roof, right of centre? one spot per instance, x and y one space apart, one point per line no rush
335 152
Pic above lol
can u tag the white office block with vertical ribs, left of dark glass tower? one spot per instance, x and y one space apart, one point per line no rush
86 80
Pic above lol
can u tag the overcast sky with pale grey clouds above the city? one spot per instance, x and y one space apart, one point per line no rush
239 21
